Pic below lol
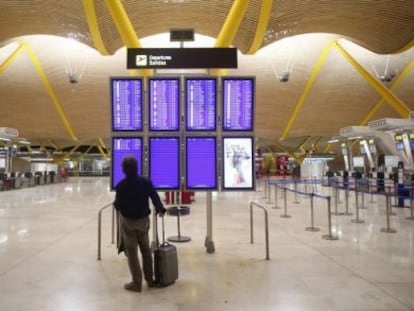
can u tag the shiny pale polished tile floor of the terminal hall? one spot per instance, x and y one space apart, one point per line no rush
48 255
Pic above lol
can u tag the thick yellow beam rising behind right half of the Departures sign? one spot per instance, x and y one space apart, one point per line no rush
230 27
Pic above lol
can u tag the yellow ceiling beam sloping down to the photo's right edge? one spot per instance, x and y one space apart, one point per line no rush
389 96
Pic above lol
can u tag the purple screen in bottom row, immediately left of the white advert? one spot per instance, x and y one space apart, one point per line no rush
201 163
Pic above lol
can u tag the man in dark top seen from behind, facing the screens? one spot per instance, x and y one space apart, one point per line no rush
131 200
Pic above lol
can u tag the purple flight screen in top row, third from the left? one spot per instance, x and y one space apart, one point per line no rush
200 103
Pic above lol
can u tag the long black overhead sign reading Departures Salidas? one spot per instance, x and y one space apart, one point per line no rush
181 58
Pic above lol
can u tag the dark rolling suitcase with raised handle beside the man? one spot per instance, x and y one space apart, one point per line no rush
165 260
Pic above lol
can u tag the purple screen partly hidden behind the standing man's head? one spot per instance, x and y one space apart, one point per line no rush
122 147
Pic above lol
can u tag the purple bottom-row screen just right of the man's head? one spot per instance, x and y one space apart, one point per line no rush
164 162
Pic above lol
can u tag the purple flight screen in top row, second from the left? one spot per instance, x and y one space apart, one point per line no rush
164 104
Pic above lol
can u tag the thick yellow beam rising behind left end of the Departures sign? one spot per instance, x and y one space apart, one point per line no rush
125 29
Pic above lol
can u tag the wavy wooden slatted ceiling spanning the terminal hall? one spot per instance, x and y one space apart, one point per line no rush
297 32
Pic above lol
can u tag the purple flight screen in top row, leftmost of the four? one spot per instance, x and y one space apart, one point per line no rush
126 107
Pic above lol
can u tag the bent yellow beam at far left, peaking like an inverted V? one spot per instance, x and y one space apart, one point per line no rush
46 83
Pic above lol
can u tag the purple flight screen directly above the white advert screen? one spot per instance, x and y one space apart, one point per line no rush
238 101
